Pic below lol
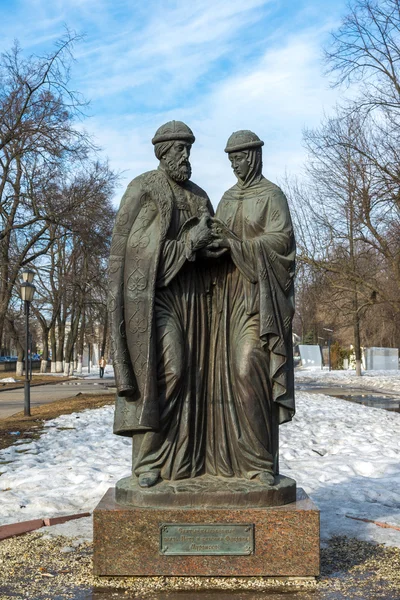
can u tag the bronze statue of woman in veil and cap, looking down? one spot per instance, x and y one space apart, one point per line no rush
251 385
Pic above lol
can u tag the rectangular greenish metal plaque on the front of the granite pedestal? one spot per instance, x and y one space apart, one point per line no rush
215 538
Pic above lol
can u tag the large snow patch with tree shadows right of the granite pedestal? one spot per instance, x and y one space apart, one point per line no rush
346 457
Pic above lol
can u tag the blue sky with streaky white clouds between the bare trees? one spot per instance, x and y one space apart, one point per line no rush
219 65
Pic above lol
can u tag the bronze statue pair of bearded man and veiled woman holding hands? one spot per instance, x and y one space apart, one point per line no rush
200 400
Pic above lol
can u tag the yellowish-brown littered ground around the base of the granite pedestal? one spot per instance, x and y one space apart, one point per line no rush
34 566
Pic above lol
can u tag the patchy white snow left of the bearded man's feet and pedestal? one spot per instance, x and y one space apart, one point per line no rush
66 471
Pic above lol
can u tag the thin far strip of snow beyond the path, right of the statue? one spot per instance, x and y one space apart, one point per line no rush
388 381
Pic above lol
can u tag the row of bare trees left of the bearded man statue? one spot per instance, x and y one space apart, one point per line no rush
56 212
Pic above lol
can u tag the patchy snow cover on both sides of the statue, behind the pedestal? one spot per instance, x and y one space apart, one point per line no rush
345 456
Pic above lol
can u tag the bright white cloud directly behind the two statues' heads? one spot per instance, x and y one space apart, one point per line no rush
277 97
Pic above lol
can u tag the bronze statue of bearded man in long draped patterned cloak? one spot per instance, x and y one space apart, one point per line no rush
158 303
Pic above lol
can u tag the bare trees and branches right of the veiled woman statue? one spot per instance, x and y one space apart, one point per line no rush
347 208
